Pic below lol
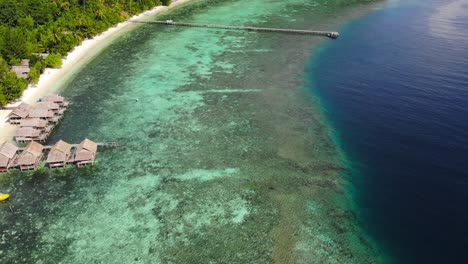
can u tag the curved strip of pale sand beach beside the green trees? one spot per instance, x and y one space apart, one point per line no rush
52 79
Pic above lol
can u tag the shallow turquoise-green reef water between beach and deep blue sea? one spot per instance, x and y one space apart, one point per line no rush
224 157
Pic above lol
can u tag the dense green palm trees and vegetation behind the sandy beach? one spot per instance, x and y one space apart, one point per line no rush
29 27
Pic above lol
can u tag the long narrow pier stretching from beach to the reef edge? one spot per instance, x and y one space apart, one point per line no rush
330 34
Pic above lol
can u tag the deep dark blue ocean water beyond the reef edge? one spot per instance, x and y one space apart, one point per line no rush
395 87
